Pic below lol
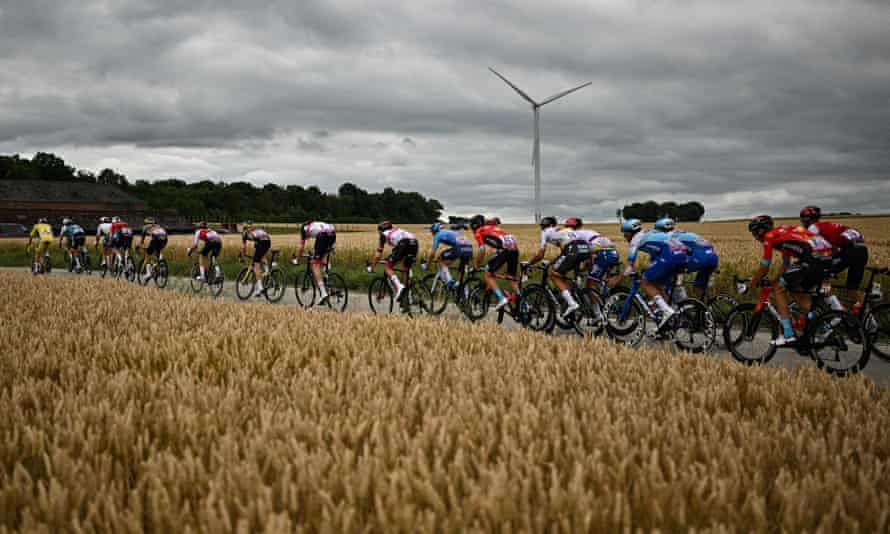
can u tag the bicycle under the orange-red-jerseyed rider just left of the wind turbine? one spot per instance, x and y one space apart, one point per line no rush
531 307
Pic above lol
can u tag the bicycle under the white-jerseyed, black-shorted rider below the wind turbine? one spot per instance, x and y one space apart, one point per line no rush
587 320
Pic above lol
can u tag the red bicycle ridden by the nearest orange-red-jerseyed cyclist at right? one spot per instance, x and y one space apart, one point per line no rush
835 339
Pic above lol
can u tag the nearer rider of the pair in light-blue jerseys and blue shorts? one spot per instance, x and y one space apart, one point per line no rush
666 257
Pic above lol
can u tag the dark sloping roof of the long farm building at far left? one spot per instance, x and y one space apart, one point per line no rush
47 191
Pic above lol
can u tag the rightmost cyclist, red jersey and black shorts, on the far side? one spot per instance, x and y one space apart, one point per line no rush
850 252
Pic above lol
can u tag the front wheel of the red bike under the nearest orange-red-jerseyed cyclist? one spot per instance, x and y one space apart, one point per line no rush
749 335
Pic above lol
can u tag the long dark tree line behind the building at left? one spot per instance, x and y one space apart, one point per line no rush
239 200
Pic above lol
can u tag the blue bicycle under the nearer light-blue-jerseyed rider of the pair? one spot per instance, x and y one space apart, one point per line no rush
692 327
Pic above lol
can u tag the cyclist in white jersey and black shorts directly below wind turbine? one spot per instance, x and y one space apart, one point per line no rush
574 254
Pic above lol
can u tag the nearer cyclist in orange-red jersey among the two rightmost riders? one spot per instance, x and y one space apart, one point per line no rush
796 279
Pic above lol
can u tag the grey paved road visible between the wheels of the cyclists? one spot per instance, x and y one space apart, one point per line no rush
877 370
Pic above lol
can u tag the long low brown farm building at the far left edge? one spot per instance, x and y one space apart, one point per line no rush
24 201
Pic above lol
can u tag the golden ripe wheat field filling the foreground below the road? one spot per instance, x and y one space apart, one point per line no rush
128 409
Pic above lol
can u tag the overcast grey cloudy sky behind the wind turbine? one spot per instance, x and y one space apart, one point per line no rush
763 106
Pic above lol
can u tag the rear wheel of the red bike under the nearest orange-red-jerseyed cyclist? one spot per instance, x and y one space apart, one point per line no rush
838 343
